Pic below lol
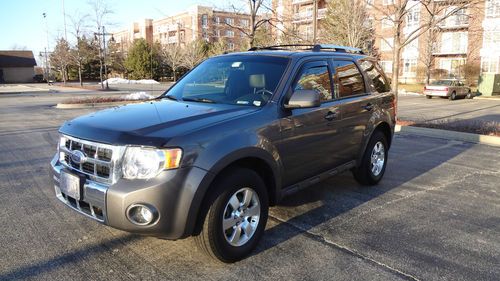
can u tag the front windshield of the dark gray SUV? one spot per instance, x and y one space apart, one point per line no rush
239 80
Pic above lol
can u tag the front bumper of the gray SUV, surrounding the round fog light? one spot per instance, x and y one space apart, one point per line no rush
171 193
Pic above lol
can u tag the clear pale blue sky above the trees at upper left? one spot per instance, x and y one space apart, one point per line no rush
22 24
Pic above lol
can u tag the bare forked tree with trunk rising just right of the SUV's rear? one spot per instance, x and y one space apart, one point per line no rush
435 12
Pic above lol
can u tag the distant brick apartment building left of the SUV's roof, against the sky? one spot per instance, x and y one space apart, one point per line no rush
197 23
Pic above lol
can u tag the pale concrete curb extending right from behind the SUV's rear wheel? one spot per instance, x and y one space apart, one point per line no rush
449 135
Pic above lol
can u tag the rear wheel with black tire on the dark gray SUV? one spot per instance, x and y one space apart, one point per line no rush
372 166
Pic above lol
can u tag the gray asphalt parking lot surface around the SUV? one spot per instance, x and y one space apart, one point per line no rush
435 216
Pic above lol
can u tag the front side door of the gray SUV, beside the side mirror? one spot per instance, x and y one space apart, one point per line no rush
311 138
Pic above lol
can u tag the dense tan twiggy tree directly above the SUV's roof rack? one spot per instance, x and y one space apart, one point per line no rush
345 23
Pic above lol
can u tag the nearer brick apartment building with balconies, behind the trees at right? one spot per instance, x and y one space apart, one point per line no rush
463 46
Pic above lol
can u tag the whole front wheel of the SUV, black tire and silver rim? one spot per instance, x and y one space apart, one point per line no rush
237 216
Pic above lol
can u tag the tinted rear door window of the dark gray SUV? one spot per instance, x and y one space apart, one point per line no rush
347 79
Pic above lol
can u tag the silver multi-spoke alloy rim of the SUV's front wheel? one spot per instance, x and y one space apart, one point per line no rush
241 217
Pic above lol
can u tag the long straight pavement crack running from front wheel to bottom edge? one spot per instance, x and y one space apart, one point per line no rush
353 252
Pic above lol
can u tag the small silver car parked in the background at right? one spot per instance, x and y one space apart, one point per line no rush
447 88
